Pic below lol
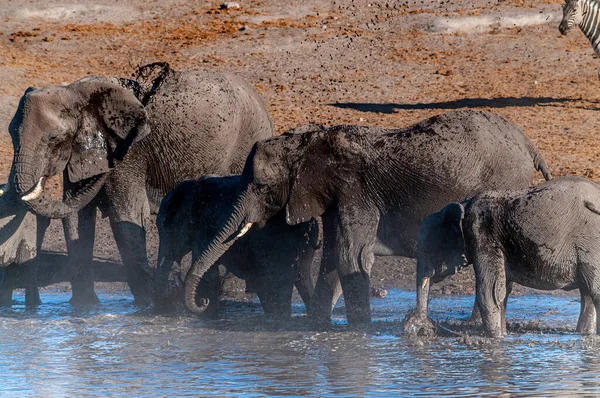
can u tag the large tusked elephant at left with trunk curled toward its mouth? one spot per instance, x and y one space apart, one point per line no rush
123 157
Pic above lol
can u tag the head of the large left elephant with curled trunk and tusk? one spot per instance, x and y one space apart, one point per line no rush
83 128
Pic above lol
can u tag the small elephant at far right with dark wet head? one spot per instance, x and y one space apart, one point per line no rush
545 237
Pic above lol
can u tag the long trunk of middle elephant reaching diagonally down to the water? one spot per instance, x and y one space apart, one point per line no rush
234 228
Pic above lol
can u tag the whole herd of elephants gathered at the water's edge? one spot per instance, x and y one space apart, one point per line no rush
197 150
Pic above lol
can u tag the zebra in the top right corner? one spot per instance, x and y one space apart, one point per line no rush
586 14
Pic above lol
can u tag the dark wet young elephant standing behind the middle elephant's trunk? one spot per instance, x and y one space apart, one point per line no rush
271 259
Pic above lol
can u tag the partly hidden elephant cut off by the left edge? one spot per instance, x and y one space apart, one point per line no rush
21 234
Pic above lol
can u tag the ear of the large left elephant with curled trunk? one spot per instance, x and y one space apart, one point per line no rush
110 123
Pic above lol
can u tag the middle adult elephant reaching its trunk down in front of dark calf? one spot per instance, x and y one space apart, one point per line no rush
372 187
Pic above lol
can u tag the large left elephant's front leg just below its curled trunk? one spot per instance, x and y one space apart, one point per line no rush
79 234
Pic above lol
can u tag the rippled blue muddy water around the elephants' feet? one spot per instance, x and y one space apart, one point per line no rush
117 351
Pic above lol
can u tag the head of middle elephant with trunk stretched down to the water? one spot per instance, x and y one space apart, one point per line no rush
303 174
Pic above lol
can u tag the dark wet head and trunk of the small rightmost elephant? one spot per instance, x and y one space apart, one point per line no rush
440 250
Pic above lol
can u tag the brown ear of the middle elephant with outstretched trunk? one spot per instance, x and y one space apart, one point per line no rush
330 170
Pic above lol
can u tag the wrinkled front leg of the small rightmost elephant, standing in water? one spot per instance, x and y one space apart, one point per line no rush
491 289
